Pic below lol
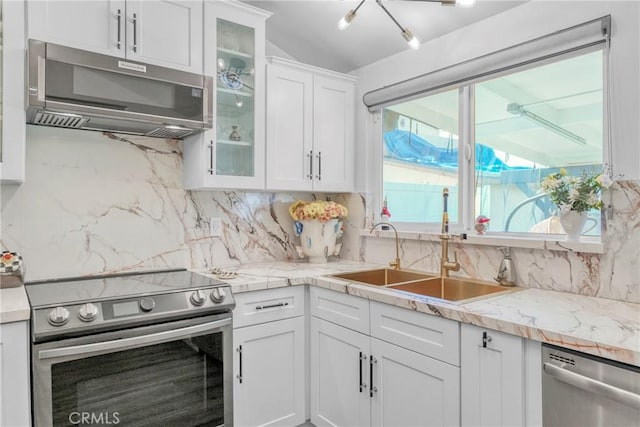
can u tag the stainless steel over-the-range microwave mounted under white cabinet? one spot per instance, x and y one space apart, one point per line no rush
78 89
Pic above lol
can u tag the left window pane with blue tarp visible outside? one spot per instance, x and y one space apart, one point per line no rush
420 157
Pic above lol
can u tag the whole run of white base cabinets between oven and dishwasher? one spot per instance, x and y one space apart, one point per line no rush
374 364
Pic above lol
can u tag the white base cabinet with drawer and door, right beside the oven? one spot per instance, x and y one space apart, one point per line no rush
269 358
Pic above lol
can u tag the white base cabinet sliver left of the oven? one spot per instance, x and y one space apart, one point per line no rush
15 391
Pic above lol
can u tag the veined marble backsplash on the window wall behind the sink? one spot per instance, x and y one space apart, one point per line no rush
615 274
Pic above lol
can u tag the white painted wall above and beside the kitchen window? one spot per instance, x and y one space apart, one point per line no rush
517 25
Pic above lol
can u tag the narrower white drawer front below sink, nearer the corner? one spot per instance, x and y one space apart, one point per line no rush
342 309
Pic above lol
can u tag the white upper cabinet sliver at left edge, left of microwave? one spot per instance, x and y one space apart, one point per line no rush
12 110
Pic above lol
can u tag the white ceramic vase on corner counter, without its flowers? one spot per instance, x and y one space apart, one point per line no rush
318 239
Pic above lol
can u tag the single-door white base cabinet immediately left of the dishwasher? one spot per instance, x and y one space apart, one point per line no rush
496 378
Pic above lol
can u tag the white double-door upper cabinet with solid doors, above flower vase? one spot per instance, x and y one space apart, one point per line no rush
310 128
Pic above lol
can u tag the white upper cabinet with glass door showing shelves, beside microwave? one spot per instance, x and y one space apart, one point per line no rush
231 155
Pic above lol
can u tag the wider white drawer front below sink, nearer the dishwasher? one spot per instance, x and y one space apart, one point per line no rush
426 334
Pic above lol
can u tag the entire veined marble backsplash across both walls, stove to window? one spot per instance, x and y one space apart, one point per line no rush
95 203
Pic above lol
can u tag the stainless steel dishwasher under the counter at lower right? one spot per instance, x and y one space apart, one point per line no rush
584 390
